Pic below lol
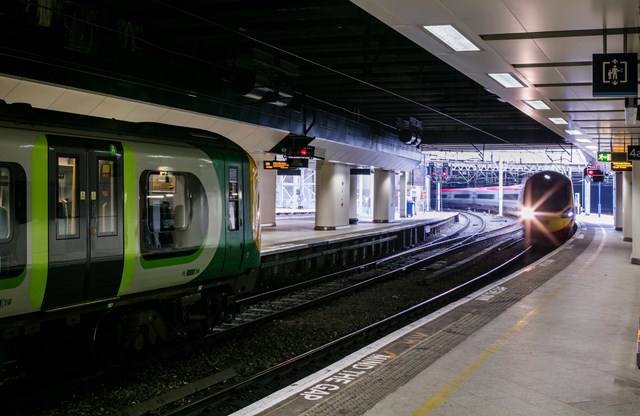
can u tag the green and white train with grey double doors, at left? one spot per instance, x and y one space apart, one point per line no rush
137 231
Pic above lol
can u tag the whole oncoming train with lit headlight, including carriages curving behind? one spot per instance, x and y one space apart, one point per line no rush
544 204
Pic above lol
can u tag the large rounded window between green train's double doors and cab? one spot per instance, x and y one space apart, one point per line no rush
174 214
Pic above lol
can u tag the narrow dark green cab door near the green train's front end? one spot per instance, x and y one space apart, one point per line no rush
235 215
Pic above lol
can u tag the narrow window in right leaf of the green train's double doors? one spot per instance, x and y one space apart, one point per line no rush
107 208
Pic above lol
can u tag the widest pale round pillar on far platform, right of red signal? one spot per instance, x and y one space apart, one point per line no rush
332 196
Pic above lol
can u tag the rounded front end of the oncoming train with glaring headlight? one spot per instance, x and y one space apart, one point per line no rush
547 207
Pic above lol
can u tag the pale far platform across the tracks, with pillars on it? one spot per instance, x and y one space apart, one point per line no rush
297 231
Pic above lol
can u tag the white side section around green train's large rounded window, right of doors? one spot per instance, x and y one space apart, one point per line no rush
176 216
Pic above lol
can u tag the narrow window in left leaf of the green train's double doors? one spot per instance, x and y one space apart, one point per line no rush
67 207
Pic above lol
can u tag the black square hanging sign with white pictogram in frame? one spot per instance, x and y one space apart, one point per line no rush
615 74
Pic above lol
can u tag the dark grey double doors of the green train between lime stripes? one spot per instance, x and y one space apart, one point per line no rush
86 244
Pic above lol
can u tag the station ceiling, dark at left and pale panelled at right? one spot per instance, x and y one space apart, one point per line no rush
364 61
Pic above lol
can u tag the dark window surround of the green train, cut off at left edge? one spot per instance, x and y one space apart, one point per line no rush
13 248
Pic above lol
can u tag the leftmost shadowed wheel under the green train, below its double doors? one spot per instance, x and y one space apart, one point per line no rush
110 346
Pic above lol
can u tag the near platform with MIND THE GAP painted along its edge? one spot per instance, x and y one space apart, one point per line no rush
557 338
